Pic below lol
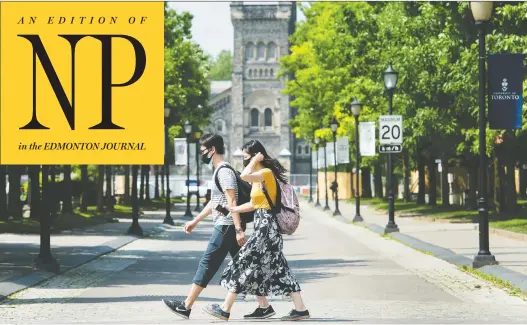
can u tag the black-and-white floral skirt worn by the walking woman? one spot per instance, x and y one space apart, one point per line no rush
260 267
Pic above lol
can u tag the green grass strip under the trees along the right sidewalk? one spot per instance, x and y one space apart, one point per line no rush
515 223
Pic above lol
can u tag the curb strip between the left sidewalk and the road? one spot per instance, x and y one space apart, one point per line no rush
14 285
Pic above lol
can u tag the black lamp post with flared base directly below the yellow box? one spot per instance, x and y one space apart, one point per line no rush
45 261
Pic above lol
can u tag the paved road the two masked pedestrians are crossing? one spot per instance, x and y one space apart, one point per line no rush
348 274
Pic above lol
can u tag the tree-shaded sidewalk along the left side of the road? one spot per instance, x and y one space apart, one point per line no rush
71 248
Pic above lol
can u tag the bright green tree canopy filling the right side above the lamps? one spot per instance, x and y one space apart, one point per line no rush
342 48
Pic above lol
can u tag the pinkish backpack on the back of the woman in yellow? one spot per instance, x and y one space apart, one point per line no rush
287 211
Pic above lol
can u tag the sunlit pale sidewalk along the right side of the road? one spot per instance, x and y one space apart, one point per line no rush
457 243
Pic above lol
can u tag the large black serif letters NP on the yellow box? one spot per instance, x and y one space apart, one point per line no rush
68 107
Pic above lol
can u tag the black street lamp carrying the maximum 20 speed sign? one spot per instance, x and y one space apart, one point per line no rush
390 82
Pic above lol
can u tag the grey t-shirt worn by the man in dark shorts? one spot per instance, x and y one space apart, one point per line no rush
227 180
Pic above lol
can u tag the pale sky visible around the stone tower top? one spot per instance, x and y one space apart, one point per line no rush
211 26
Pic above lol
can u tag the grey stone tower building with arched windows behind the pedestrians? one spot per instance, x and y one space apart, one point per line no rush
252 105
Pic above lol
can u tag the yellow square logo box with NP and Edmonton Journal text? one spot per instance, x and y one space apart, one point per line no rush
81 82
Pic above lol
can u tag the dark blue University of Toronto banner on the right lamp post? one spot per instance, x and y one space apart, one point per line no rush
505 91
